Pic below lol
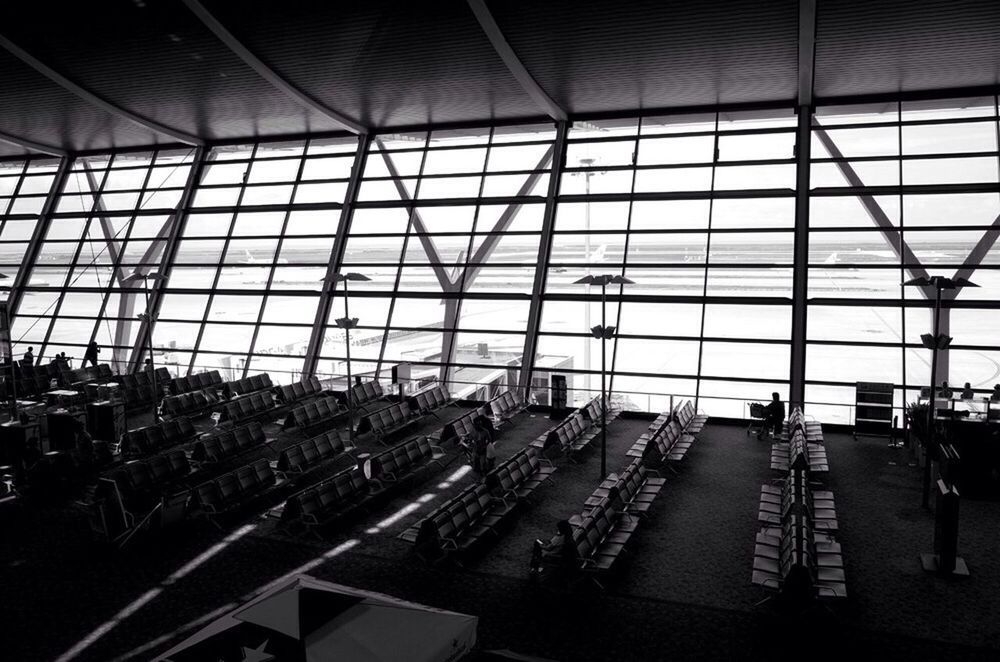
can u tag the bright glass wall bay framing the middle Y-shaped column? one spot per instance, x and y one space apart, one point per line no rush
446 227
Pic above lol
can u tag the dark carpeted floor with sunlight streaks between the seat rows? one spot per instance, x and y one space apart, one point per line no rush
684 594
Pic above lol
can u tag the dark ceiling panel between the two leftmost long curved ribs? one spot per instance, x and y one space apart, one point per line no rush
157 60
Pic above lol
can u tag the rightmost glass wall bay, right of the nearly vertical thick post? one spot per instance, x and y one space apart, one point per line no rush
899 191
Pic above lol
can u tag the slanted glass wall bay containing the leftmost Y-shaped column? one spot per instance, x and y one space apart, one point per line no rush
110 220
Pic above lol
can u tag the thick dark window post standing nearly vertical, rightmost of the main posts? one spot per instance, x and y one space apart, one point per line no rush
800 271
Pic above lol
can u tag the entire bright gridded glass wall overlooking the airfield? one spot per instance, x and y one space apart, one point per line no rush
698 210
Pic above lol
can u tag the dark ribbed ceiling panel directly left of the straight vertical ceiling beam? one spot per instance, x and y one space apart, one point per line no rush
600 56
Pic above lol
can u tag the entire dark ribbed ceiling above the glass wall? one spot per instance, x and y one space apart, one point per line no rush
387 64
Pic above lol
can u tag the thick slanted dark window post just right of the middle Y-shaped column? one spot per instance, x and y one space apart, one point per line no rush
541 270
